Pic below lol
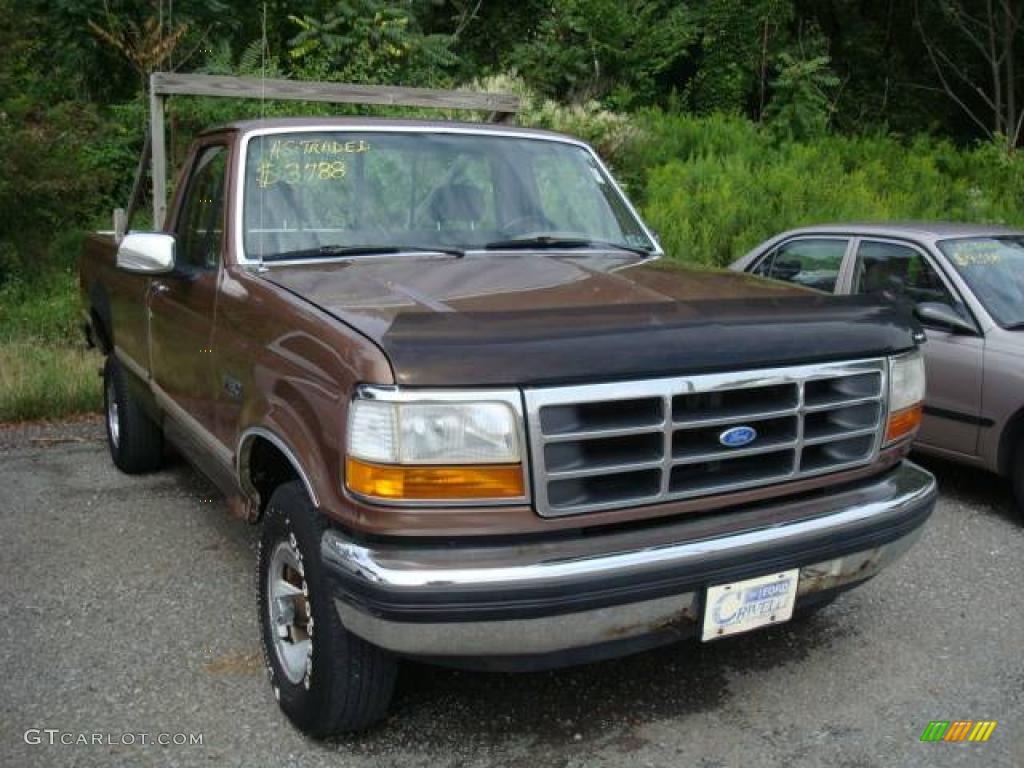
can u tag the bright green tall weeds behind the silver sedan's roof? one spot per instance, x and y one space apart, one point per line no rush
715 188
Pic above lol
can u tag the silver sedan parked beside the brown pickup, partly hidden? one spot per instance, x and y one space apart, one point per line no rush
967 284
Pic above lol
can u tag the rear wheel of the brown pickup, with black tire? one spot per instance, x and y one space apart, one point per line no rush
135 440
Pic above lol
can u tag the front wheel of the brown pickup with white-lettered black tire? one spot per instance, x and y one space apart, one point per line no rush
327 680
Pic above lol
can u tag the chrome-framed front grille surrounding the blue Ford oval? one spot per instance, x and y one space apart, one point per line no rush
610 446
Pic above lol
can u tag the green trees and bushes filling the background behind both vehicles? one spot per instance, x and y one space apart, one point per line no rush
728 120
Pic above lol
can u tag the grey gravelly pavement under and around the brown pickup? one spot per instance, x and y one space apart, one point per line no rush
127 608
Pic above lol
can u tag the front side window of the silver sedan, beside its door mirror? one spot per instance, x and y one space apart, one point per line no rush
899 271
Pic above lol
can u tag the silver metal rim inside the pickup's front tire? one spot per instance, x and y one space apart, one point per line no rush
291 619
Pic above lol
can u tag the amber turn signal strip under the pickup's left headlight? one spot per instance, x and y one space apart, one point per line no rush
433 483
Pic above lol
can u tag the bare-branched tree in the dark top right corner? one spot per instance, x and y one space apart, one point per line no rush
978 70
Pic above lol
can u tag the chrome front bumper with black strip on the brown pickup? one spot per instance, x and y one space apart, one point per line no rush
556 596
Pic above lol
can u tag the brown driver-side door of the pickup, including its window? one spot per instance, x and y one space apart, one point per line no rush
183 304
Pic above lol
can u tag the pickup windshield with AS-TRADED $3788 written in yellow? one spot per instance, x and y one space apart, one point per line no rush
310 194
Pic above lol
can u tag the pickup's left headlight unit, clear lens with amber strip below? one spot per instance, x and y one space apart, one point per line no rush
435 450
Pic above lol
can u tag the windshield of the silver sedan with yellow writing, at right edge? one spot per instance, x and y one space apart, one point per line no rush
994 268
